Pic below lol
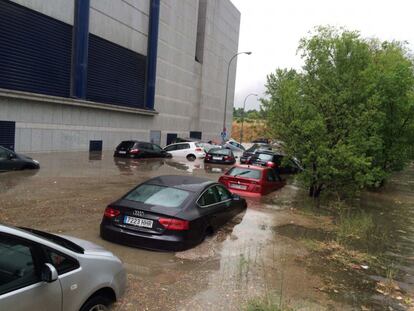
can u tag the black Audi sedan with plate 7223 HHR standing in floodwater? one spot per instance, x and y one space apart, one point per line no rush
170 213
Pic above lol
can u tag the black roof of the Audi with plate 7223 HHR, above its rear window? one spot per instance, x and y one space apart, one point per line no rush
188 183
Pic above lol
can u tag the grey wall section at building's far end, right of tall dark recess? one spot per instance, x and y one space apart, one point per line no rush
221 43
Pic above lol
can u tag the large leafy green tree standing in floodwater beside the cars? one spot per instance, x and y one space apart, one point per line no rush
335 114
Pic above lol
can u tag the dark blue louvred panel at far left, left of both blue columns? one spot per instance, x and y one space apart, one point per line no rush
35 51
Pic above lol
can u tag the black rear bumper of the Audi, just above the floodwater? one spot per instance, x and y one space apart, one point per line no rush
119 235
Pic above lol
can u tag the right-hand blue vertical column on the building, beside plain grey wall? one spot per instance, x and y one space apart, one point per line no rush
152 53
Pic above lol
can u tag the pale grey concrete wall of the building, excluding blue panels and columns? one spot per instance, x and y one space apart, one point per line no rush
189 95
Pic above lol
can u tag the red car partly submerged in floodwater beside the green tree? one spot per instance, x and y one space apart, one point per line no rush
248 180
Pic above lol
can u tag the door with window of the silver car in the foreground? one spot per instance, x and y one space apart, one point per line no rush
21 288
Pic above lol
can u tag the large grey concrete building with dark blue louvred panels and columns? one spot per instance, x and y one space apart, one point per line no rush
85 74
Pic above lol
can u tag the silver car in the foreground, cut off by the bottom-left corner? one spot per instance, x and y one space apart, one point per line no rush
42 271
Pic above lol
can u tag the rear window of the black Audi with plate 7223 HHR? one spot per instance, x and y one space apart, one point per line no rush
158 195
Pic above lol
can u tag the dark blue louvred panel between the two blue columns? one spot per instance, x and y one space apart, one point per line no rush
116 75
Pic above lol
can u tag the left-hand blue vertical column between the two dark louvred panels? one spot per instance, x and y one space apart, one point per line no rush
80 39
